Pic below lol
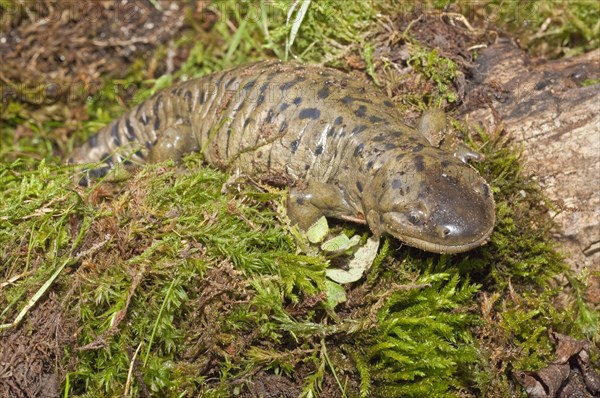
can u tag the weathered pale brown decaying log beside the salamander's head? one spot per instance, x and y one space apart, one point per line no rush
545 107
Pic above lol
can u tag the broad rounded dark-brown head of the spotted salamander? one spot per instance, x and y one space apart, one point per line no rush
431 201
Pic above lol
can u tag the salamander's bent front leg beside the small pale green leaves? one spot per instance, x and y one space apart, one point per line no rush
312 200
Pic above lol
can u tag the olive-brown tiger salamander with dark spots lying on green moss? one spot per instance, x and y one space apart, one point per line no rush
338 142
